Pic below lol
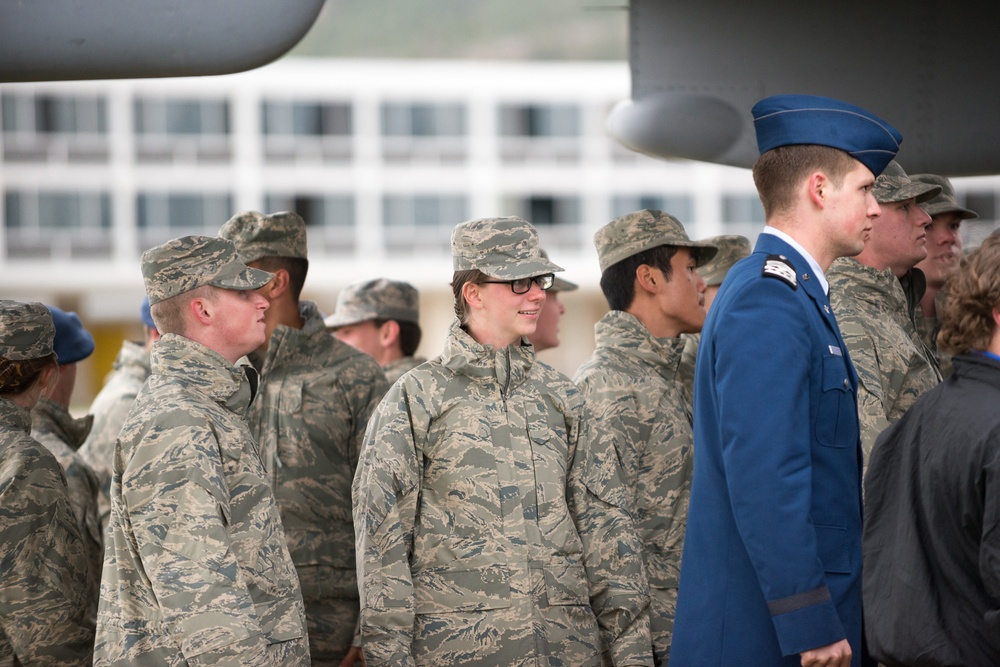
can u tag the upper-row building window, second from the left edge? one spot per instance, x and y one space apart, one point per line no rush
182 129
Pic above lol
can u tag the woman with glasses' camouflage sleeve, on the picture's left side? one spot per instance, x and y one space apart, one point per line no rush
385 492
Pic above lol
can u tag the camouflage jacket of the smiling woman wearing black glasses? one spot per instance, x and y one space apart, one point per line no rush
480 491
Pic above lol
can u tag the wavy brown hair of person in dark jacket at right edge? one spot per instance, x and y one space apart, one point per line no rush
973 294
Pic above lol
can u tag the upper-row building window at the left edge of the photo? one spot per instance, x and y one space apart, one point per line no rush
56 128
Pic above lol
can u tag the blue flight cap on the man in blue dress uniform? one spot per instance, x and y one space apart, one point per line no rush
784 120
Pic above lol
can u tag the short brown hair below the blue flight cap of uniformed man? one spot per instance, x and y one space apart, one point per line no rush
779 171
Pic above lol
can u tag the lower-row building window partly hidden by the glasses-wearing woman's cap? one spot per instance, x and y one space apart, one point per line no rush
415 224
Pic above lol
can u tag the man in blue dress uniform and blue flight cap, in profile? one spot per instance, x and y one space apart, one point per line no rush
771 569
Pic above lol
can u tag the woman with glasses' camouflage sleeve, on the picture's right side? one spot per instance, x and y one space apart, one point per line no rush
619 592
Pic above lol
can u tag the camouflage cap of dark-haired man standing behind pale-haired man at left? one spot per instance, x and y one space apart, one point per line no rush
256 235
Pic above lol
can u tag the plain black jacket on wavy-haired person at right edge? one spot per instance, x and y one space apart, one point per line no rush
932 526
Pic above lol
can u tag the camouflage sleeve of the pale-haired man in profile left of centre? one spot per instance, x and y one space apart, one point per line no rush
177 500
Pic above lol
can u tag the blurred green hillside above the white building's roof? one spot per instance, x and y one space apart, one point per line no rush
513 29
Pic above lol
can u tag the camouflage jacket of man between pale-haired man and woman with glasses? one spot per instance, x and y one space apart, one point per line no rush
315 398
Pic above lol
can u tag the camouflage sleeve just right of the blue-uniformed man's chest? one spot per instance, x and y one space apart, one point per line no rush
872 408
